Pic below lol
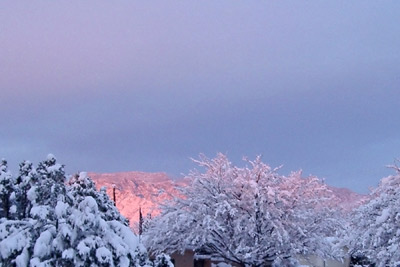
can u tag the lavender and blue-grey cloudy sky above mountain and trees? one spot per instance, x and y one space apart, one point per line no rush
110 86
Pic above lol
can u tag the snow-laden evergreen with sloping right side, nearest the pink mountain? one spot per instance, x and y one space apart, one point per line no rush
95 230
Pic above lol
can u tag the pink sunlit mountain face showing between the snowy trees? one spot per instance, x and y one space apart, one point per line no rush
143 190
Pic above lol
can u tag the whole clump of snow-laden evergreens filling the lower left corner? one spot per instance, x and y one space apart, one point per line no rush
62 224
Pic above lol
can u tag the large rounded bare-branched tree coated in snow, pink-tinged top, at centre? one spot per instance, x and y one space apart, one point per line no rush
251 216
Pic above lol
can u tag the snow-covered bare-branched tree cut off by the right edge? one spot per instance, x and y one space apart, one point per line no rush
376 224
